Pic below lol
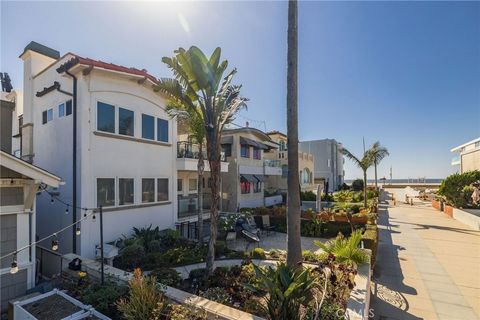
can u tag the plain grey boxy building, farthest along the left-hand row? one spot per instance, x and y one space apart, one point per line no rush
328 162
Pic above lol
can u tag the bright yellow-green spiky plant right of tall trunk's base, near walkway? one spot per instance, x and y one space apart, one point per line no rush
345 250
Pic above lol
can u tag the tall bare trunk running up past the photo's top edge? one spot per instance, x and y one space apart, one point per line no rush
294 246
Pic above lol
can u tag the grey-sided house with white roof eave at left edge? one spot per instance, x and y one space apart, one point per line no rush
19 185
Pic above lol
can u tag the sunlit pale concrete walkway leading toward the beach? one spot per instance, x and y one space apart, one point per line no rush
428 266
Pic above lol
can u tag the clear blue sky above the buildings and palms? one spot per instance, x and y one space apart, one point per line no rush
404 73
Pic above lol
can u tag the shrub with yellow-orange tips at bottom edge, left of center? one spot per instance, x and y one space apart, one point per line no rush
145 299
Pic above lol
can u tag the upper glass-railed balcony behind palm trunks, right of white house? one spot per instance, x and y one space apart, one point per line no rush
187 157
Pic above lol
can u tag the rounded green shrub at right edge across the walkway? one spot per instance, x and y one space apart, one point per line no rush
453 188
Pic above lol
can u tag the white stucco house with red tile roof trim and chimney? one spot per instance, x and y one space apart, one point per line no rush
125 154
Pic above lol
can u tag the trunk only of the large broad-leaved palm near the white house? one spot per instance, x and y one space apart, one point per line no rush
213 154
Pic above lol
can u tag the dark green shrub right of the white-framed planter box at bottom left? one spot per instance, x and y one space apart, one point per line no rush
104 297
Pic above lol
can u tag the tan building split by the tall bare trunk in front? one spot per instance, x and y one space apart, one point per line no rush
305 165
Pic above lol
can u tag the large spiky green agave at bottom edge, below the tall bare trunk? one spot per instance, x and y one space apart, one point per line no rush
285 289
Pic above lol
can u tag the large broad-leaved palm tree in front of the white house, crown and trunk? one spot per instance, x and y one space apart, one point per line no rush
198 86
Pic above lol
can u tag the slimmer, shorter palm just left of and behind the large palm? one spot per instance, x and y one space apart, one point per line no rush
194 123
